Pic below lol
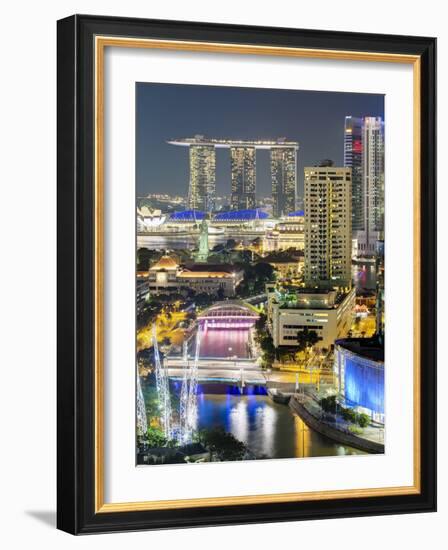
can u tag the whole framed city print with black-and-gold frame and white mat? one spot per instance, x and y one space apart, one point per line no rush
246 274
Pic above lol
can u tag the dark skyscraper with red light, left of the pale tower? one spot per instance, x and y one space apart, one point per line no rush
353 159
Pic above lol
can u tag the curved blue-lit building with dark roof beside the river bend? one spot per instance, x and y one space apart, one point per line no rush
359 367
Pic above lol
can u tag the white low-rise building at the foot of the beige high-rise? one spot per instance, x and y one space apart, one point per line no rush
292 309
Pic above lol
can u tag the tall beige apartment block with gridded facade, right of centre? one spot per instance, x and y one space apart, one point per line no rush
328 232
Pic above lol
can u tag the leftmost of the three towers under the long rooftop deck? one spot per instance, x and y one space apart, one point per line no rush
201 195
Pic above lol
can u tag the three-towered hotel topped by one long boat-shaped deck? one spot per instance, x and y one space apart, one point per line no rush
202 152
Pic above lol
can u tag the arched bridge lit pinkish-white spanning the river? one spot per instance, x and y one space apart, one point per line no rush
229 314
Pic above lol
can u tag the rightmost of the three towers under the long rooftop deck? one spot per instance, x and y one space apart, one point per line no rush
284 180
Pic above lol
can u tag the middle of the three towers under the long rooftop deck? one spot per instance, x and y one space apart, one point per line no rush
243 177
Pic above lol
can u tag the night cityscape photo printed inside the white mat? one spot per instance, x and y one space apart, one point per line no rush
260 324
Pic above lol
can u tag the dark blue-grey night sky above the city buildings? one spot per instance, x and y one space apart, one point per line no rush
166 111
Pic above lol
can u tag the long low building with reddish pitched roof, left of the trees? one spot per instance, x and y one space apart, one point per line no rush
167 275
